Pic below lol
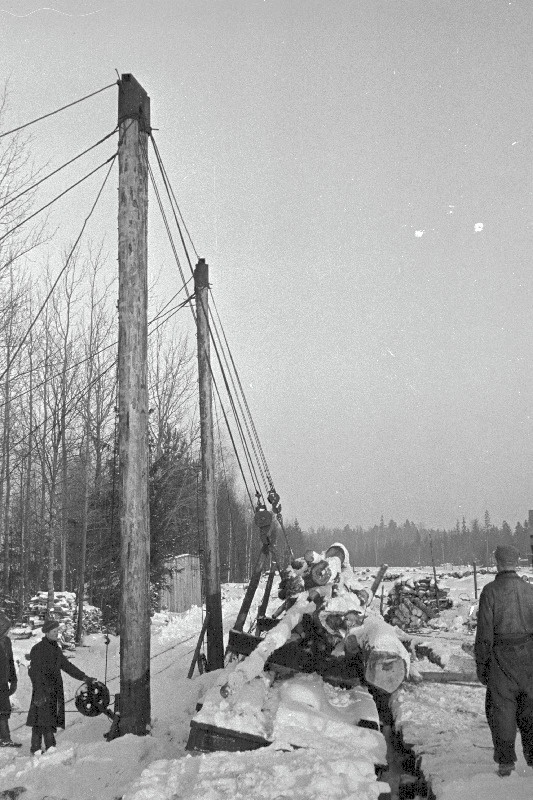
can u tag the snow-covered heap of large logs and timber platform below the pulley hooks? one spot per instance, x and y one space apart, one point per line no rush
312 669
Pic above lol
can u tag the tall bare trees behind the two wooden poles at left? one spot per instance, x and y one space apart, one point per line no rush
59 504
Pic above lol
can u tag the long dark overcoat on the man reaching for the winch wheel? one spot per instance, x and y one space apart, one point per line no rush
47 707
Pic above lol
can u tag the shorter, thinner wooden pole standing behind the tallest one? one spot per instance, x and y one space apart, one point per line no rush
213 601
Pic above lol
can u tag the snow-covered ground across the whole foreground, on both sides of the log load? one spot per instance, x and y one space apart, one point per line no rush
443 723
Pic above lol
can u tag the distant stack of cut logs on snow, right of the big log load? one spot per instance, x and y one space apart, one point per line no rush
413 603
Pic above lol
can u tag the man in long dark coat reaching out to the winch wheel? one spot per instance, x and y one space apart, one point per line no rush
47 707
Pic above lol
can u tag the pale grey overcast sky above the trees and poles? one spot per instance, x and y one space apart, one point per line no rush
358 175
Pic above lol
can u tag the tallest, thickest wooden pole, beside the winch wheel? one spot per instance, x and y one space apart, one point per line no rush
134 127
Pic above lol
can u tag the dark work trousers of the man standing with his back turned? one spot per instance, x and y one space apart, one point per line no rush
509 701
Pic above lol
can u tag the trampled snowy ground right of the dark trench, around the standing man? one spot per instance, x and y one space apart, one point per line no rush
445 724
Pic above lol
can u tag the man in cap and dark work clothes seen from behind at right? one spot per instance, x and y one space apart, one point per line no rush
504 659
